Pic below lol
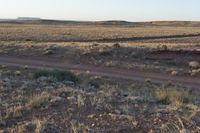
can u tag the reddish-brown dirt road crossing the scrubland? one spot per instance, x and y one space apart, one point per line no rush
100 71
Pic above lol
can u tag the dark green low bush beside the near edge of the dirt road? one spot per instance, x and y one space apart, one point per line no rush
58 75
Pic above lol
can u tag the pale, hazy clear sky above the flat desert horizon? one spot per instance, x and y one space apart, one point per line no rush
96 10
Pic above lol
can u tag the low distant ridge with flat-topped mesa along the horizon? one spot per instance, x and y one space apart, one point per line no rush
34 20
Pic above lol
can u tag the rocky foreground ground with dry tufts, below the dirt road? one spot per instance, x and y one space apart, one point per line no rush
59 102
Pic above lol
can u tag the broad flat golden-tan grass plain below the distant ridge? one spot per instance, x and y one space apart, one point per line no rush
29 32
